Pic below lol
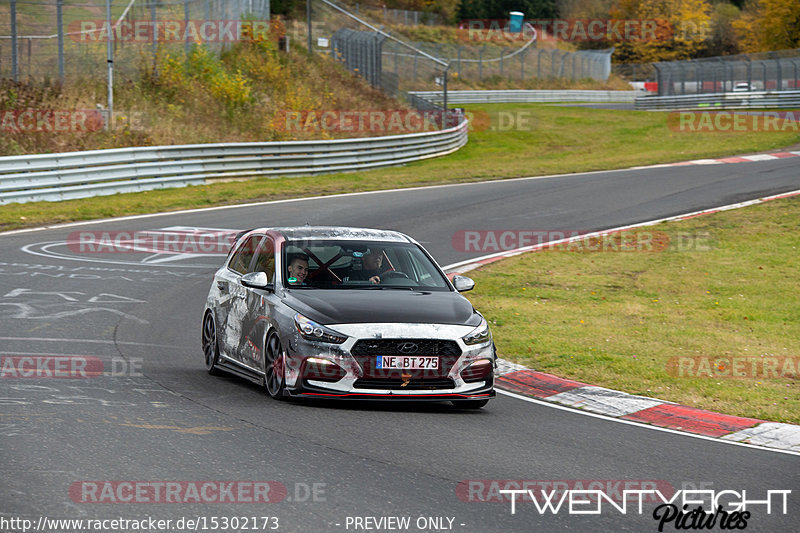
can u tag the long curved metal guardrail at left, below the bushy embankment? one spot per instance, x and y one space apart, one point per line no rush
70 175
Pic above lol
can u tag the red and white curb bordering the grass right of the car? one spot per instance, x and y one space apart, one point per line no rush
652 411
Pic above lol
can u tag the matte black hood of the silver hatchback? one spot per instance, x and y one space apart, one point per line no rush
381 306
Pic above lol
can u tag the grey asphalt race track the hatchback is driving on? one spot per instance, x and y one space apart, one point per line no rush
162 419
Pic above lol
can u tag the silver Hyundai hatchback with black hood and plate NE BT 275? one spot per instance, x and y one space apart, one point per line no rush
351 313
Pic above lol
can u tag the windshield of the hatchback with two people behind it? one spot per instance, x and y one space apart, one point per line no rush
337 264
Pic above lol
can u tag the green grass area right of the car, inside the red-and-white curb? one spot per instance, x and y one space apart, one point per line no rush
627 320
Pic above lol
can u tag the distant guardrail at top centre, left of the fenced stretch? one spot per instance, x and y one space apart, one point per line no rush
528 96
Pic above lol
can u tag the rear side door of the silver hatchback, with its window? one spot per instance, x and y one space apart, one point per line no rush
233 297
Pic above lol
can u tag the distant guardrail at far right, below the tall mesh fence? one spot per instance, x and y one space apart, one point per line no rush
742 100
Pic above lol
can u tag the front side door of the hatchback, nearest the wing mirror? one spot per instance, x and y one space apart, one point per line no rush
258 307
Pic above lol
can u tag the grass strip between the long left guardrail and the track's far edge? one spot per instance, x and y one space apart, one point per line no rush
556 140
